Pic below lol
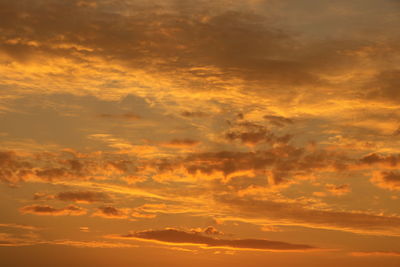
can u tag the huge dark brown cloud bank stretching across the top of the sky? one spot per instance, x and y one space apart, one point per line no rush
164 39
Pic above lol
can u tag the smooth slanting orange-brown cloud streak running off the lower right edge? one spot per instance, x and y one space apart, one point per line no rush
295 213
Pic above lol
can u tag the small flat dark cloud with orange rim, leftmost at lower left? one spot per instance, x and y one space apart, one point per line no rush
70 210
